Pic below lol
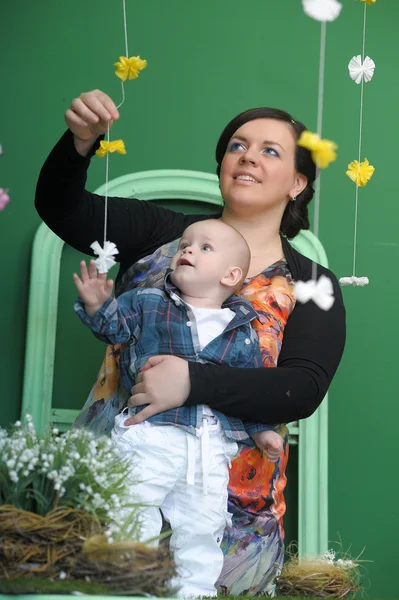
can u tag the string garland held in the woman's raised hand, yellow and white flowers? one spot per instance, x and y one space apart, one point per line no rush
126 69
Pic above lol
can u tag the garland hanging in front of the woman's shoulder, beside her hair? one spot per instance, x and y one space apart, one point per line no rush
323 153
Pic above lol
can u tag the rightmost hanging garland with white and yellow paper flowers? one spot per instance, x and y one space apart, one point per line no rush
361 70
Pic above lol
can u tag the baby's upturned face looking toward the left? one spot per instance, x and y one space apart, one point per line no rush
202 259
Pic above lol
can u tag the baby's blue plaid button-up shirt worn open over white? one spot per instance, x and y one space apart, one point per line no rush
157 321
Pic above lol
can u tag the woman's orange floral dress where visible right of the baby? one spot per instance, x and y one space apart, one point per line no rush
253 545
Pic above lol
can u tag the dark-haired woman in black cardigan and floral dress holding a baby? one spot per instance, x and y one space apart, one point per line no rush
266 181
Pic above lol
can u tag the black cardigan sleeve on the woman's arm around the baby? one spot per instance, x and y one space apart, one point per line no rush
312 347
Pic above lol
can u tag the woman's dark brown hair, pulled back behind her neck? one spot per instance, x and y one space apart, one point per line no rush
295 216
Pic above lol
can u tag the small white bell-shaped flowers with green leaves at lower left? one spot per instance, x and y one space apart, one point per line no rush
75 470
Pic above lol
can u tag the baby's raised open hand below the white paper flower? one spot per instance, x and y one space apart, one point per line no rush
93 287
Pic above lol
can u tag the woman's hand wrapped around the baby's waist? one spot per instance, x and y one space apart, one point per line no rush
162 384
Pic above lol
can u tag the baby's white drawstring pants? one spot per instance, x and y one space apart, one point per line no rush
185 476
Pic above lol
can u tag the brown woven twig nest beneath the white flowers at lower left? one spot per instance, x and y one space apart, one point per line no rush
70 545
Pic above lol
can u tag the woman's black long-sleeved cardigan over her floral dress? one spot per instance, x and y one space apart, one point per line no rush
313 340
